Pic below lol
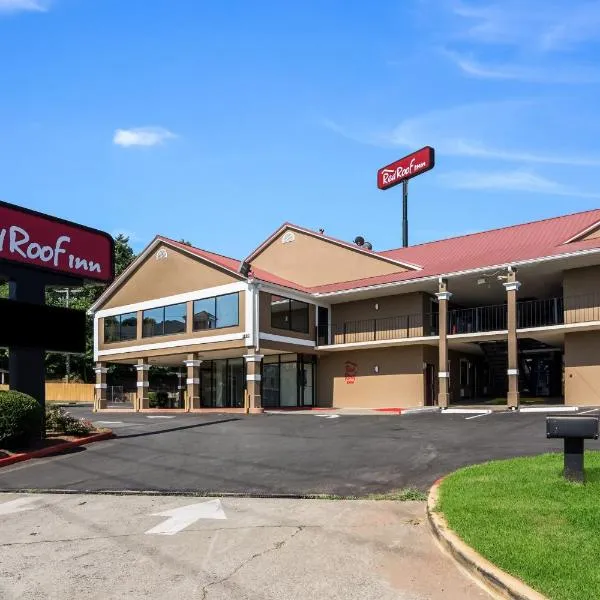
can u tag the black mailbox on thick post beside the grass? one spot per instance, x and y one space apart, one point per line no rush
573 430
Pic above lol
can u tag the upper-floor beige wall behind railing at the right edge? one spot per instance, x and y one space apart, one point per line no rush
581 291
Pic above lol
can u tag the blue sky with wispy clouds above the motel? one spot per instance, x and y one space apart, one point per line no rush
217 121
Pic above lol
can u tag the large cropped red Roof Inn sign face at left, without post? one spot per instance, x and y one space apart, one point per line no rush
33 239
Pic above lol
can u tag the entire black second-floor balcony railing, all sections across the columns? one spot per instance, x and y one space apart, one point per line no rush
480 319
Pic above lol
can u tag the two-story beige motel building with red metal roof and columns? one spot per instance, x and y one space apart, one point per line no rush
501 317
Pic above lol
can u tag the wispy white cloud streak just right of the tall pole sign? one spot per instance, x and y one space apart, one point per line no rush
515 180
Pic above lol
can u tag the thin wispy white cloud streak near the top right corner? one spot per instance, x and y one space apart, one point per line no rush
534 74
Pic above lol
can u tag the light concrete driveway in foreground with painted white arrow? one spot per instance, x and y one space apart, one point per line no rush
102 547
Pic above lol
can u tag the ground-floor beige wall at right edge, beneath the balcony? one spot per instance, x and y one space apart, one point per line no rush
582 368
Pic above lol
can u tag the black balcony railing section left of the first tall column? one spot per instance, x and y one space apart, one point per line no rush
380 329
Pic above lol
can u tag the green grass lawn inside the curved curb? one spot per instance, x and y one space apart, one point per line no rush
525 518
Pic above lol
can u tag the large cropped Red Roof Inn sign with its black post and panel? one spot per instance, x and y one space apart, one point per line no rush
39 251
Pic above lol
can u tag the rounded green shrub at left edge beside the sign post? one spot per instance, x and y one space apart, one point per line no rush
21 419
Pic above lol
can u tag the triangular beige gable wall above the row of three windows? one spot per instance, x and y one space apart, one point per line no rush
176 274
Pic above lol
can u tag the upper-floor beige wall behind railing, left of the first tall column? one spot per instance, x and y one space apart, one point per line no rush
387 317
